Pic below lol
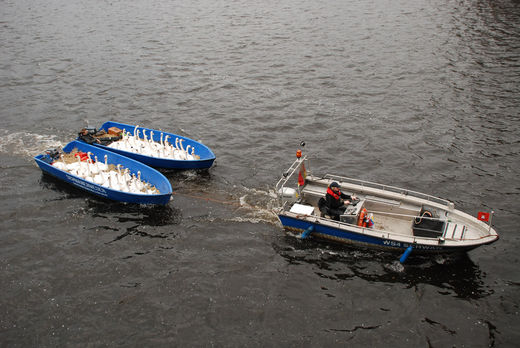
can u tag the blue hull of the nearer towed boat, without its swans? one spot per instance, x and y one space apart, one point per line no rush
147 174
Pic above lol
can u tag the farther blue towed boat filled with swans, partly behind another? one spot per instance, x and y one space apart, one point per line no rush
155 148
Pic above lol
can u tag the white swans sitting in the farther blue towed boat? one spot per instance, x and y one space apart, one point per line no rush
148 147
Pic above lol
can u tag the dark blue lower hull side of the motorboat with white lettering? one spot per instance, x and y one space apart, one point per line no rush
352 237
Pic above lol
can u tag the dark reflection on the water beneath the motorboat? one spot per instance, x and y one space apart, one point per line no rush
453 275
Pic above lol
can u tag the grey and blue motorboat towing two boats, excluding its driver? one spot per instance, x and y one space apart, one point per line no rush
383 216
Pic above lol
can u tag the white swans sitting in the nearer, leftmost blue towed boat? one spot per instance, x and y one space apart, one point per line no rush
107 175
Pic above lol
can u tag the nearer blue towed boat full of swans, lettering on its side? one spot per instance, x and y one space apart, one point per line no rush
106 174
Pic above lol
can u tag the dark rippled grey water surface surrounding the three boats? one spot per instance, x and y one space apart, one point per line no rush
420 94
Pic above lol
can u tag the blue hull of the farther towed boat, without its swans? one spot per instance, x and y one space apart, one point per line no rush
206 155
